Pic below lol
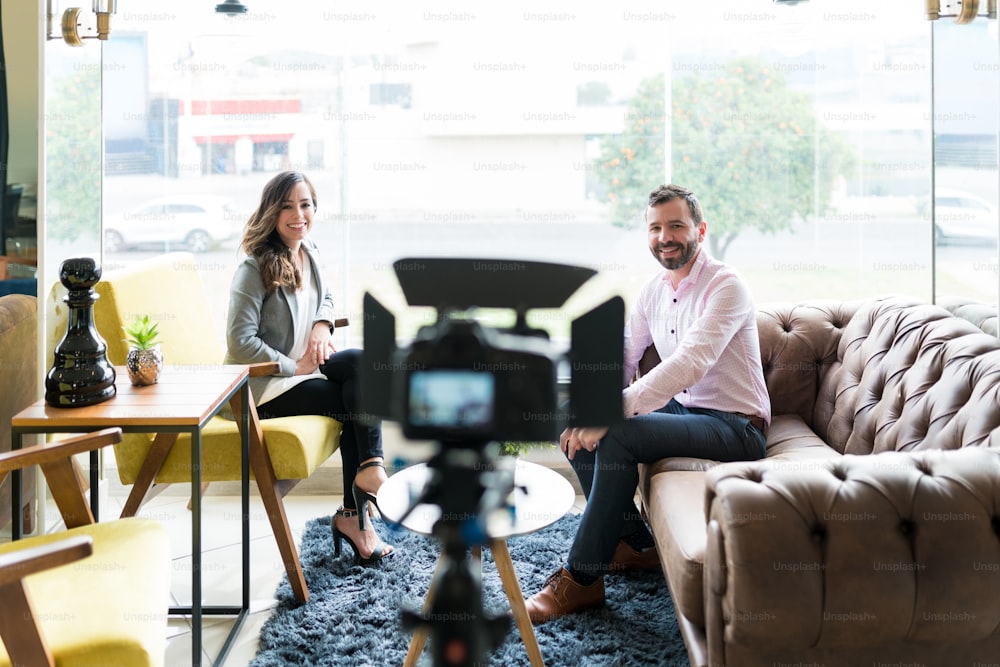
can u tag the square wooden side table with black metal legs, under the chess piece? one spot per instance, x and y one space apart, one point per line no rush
183 401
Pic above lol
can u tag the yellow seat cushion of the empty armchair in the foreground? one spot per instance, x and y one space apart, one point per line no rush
109 608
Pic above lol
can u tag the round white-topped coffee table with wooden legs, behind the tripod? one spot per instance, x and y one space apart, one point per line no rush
541 497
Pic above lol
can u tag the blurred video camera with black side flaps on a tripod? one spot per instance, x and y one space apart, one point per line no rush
467 385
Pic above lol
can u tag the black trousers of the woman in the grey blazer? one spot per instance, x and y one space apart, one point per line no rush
337 397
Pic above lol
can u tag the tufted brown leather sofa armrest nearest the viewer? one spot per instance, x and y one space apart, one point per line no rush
858 551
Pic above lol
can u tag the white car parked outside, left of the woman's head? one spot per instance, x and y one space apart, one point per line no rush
195 222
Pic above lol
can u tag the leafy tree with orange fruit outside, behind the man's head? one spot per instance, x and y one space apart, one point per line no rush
745 142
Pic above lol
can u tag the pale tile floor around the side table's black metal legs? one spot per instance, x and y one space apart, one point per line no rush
221 564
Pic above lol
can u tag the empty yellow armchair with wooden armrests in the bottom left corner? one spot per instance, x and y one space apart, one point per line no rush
95 594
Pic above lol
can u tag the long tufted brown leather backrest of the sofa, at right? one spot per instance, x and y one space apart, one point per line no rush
910 376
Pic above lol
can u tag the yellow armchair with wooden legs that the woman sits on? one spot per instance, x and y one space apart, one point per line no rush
283 450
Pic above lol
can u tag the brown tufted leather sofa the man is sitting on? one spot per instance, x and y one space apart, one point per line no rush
870 534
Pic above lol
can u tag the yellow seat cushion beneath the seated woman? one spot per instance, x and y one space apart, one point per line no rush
297 446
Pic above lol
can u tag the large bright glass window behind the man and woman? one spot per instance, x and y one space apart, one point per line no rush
513 131
